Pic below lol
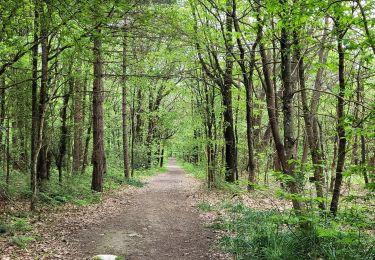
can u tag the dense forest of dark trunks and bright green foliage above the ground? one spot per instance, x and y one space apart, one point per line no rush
274 95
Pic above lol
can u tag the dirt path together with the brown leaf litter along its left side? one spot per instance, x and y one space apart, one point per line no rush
159 221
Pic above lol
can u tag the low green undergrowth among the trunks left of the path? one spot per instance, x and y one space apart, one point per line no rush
75 188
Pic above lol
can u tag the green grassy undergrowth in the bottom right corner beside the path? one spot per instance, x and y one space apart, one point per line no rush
254 234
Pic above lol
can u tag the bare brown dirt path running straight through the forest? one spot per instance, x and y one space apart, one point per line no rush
160 223
